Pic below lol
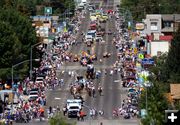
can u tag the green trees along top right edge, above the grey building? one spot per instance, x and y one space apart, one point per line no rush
139 8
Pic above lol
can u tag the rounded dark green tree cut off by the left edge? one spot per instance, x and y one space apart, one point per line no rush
10 45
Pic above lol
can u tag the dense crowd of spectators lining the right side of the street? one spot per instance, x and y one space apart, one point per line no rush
127 59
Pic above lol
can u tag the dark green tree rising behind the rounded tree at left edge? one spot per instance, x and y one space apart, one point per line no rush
21 26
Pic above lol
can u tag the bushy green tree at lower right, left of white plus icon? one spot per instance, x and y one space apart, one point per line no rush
156 105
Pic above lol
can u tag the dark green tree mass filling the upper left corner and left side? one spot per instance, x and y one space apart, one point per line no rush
17 33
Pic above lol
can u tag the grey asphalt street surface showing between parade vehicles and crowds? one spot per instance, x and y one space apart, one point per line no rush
113 93
